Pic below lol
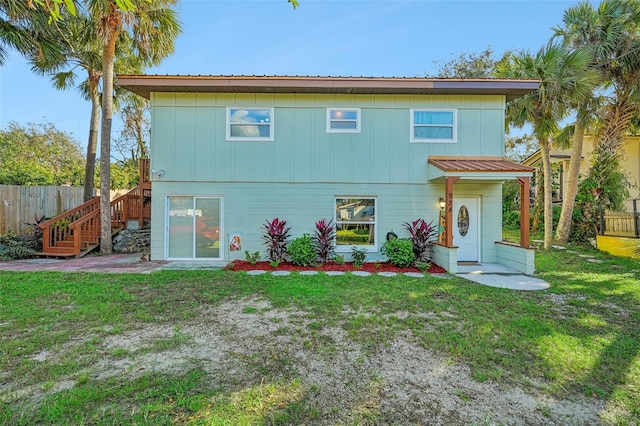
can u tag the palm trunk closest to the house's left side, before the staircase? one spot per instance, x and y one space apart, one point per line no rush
106 246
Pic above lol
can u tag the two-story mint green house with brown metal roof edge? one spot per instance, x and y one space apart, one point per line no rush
230 152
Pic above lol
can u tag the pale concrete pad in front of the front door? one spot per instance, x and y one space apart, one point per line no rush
495 275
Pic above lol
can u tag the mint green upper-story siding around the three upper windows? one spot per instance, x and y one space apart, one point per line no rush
189 131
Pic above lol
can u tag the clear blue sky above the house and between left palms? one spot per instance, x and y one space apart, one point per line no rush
389 38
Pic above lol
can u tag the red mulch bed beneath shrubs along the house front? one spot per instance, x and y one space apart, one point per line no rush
242 265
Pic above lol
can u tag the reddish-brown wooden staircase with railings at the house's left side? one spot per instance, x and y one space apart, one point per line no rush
76 232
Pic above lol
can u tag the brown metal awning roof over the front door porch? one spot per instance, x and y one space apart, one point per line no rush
478 168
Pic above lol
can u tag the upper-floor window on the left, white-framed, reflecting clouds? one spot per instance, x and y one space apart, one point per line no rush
250 124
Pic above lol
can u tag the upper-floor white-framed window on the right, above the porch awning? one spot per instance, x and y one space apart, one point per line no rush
433 125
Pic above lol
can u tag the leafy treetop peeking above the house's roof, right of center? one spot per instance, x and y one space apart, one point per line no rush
469 65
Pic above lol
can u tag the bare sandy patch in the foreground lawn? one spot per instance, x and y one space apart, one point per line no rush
247 343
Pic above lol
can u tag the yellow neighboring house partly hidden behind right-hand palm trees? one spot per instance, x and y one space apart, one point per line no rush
630 163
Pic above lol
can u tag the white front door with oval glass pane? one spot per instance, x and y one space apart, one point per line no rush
466 228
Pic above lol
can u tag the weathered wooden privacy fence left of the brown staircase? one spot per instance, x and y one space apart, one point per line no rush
19 204
